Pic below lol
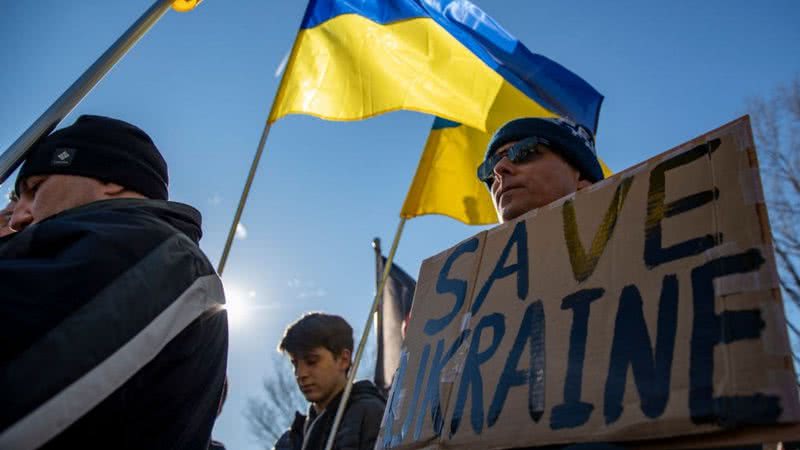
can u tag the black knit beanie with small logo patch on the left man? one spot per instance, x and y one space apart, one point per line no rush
106 149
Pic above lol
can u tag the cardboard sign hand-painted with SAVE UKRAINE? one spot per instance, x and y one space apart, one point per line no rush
644 307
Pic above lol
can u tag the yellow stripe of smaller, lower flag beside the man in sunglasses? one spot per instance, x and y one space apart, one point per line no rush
445 182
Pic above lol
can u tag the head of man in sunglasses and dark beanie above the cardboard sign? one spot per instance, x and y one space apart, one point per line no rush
531 162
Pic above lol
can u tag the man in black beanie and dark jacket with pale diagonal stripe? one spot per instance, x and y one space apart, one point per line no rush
111 322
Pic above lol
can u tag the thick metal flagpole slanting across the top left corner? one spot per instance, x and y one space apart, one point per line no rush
14 155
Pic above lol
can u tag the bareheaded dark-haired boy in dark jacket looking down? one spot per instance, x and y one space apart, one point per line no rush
320 347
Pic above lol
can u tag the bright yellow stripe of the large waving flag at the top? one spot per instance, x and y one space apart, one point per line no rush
351 68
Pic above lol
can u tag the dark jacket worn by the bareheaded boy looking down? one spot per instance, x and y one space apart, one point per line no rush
358 430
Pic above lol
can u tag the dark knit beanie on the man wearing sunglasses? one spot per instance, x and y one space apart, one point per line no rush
572 141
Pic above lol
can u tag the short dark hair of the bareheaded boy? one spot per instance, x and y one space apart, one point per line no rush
317 329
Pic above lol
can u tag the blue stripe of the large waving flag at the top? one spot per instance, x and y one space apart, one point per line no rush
543 80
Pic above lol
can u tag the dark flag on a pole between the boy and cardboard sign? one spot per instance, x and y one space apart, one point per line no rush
393 312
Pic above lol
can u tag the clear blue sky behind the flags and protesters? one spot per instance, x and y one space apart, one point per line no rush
202 84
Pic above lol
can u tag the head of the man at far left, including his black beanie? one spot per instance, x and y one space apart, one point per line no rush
96 158
